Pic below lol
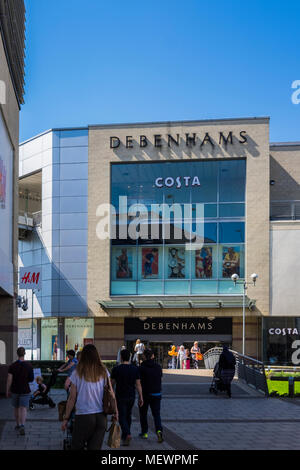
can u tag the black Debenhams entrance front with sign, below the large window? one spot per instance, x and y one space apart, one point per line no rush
160 333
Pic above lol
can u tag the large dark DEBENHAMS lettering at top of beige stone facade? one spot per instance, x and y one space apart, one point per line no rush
188 139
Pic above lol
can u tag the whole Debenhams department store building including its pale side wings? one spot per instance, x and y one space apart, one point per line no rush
138 229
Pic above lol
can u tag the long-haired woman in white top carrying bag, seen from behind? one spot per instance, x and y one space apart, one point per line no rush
92 395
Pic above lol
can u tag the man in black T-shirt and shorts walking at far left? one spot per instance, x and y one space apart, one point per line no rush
20 374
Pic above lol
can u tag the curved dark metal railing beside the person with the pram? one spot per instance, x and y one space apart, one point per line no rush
248 369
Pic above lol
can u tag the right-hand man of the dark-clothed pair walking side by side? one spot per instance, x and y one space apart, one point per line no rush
151 375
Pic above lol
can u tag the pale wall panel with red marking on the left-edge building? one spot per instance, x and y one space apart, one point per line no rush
6 210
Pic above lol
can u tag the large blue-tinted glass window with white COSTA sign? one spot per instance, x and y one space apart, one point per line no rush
190 225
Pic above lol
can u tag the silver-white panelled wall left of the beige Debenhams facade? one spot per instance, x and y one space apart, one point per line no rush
60 246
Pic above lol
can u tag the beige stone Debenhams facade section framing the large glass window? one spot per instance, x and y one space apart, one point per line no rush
161 286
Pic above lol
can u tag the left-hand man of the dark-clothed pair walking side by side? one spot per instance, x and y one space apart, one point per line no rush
126 378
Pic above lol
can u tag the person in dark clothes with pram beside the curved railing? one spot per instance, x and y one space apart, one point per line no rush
224 372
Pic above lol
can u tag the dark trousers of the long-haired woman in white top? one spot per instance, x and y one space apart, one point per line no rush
89 431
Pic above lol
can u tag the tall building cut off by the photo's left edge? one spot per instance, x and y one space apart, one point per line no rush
12 44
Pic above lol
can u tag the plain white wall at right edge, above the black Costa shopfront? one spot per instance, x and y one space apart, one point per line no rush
285 269
